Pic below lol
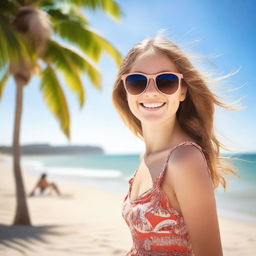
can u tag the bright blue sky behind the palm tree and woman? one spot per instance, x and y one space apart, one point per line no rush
223 31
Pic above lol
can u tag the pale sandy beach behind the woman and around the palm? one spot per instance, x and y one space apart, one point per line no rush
85 221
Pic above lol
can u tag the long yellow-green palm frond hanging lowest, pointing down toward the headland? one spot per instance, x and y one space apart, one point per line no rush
55 98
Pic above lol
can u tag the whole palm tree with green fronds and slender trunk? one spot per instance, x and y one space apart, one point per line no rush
27 48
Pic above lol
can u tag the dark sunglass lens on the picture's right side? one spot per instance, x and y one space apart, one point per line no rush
167 83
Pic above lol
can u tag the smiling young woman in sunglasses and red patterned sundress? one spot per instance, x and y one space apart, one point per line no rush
170 207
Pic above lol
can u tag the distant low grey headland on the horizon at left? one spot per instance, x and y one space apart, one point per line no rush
46 149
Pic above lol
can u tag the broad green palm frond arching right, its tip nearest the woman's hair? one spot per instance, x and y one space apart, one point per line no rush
88 41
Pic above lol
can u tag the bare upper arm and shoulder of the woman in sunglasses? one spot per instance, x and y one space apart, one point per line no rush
188 174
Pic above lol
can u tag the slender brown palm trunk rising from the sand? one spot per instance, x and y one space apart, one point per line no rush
21 213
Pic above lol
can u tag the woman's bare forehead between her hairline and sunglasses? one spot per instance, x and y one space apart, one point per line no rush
151 62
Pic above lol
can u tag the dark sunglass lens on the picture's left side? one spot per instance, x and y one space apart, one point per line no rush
135 84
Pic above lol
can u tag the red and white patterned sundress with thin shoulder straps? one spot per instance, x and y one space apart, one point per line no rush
156 227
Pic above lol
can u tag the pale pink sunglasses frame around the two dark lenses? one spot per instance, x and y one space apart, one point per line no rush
148 76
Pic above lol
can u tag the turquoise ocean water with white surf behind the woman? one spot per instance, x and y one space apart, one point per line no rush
112 171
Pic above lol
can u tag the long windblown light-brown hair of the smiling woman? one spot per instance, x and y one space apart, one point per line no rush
195 114
